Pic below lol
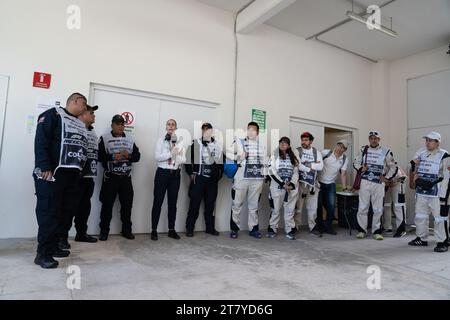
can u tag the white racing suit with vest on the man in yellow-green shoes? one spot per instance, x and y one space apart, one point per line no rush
380 162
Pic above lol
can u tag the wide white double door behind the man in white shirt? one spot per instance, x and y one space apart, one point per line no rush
152 112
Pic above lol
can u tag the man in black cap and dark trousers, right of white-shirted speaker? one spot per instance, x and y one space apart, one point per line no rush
205 168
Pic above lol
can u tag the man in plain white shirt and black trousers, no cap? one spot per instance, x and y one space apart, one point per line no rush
170 155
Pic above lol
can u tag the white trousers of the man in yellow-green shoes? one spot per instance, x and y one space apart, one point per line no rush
370 192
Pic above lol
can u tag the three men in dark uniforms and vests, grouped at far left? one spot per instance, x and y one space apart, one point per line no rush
67 152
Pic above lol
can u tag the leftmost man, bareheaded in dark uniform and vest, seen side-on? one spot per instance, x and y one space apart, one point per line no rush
60 155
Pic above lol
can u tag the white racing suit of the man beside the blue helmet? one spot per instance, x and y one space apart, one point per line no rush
248 181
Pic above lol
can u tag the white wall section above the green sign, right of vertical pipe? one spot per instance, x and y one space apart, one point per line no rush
289 76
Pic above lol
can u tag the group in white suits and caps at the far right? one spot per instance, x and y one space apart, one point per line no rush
382 180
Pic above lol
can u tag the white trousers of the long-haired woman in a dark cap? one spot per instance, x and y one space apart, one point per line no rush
276 198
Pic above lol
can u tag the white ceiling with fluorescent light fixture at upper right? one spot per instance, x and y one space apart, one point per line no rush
421 24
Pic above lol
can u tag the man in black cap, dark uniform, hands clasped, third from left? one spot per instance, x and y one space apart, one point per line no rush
117 152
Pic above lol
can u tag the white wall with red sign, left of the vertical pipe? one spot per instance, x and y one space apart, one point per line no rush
178 47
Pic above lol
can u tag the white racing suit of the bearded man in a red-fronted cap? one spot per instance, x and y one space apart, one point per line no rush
308 185
